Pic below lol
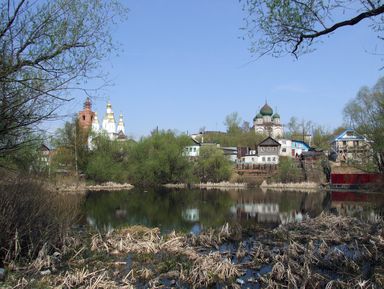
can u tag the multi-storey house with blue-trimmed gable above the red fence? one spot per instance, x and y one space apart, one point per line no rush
351 146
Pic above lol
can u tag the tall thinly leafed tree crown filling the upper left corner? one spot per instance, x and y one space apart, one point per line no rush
47 48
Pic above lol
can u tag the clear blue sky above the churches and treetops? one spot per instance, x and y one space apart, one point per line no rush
183 65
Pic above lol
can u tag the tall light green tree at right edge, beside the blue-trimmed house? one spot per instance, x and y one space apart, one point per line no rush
365 113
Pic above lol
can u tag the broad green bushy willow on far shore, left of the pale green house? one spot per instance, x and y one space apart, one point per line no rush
159 159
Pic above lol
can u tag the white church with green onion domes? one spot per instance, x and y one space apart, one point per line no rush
268 123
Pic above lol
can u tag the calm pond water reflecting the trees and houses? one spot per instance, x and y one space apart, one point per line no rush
193 210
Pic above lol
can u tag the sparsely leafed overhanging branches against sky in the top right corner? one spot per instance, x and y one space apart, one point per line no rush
278 27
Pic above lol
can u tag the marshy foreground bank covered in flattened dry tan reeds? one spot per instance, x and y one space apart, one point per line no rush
326 252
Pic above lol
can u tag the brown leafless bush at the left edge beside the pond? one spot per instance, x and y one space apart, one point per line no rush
31 217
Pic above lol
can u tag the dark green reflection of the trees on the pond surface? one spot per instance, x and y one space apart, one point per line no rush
160 207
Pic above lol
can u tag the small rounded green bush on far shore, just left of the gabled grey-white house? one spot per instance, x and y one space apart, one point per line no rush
212 165
